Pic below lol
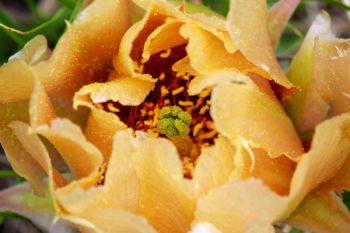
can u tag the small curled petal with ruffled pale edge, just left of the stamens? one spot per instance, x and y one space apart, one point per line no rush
123 89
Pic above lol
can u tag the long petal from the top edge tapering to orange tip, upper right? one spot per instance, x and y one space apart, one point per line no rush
247 32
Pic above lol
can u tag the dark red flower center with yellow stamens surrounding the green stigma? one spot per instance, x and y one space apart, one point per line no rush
170 90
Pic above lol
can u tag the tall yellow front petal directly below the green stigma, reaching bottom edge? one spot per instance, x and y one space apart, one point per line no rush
171 208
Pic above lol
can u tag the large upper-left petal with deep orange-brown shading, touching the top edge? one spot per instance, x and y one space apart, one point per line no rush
83 53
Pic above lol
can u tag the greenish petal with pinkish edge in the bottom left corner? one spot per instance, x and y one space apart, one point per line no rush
39 210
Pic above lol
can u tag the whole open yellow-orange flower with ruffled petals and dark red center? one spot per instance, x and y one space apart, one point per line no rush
240 168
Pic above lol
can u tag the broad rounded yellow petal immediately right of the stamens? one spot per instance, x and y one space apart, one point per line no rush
240 109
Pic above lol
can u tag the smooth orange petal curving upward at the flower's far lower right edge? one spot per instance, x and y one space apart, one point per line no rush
330 149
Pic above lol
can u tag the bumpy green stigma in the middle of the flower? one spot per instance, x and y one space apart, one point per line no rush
174 122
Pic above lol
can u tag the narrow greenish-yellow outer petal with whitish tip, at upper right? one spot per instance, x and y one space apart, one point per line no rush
307 108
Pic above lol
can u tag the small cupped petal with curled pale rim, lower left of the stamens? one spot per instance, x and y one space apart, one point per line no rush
81 156
